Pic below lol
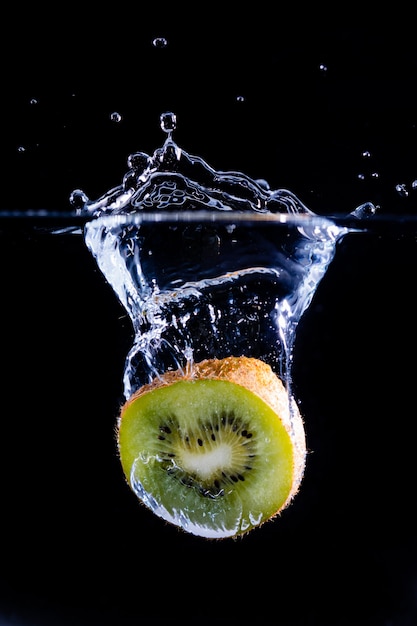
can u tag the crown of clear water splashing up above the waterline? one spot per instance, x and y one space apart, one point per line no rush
173 180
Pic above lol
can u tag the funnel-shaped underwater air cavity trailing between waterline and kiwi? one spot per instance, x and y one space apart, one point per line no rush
198 289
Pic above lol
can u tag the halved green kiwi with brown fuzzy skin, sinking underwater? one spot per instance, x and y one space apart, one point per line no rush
217 450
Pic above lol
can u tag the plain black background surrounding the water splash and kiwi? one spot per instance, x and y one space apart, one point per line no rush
298 98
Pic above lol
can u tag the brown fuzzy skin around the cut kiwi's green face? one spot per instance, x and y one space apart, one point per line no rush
259 378
